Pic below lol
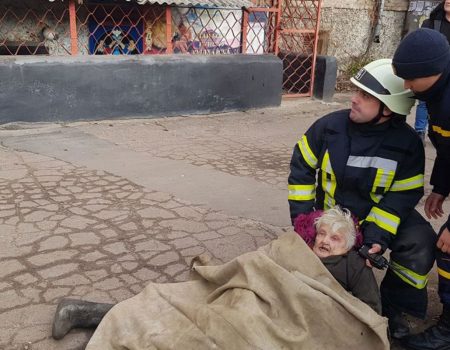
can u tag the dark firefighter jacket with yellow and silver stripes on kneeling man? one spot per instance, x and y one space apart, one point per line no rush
376 171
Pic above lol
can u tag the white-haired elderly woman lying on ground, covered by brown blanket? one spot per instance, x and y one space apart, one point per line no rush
274 290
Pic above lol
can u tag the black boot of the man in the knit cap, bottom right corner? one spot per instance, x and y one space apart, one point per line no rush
436 337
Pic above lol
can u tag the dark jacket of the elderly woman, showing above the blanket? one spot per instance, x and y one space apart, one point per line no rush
351 272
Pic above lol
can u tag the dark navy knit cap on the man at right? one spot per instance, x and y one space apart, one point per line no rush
422 53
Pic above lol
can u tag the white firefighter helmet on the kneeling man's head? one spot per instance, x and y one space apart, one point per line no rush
378 79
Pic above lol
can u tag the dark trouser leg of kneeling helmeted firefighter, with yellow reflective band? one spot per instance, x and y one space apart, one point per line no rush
412 250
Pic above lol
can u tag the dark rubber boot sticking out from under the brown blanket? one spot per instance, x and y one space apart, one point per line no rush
73 313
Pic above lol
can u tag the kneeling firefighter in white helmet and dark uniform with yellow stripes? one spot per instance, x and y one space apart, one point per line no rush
367 159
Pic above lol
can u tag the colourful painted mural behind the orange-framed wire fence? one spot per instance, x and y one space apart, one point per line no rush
195 30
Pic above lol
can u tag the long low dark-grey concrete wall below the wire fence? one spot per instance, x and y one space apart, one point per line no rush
93 87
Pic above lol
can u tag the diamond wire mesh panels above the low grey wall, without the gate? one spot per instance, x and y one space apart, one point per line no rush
40 27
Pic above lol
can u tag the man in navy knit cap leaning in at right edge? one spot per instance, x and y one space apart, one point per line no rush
423 60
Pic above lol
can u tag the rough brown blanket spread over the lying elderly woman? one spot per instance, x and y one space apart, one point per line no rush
278 297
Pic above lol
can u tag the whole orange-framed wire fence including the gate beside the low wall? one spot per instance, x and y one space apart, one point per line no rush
287 29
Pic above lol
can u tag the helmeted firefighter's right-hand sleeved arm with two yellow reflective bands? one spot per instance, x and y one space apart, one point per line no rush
380 226
